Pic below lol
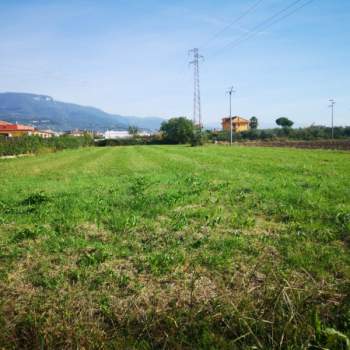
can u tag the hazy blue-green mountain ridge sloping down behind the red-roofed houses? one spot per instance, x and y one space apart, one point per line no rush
44 112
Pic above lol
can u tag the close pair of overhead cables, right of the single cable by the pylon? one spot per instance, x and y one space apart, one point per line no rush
270 21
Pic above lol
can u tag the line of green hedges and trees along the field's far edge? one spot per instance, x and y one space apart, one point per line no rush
173 131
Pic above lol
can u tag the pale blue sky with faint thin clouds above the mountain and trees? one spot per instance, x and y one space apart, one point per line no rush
130 57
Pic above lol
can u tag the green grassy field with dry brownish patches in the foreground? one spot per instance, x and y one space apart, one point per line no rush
172 247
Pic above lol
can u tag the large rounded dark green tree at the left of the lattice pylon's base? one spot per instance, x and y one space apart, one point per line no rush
178 130
